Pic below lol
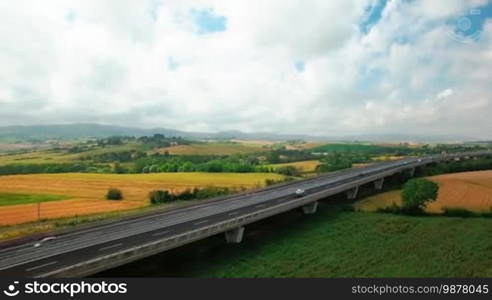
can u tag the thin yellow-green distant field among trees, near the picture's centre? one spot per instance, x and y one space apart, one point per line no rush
213 149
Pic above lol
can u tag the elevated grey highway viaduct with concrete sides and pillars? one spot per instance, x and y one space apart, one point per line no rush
87 251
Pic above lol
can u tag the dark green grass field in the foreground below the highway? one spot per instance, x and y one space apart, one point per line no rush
356 244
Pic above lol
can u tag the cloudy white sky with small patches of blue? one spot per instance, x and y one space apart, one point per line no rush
313 67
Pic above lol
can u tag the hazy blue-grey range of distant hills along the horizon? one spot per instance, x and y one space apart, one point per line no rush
75 131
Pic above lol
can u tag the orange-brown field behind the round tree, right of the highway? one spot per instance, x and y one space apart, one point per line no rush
469 190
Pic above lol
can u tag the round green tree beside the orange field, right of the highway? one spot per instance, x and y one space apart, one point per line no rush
417 193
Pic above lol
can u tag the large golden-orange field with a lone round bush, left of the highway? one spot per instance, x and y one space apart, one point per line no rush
86 192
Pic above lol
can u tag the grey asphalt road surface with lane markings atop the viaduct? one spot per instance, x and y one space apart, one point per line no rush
68 249
